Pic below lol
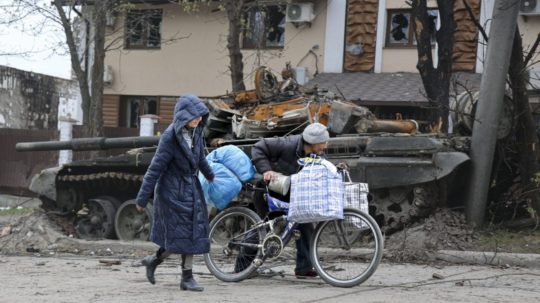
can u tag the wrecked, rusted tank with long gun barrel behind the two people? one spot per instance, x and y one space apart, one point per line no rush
409 174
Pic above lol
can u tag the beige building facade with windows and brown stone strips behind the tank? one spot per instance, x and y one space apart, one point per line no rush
162 51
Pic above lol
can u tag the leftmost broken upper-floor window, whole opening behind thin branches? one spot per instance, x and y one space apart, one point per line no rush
143 29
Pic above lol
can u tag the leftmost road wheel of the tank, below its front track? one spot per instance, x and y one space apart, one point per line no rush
99 223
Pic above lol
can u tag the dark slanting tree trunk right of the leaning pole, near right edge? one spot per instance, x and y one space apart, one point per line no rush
526 130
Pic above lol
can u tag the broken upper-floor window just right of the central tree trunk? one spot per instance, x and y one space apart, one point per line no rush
264 27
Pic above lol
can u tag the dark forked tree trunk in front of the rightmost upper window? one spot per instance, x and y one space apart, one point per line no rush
436 81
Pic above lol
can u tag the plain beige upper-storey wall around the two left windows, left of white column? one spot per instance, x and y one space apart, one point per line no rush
198 63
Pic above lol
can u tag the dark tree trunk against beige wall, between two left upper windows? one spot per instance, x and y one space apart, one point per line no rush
234 11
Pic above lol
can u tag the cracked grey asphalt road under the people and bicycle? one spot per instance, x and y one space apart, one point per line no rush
88 279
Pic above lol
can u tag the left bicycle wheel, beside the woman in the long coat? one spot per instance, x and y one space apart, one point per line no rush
233 244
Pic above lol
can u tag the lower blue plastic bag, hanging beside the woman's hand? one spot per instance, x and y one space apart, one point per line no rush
224 188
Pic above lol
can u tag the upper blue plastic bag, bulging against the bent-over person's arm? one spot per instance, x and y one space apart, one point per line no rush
235 160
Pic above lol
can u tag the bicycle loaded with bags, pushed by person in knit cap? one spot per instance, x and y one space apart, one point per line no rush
241 242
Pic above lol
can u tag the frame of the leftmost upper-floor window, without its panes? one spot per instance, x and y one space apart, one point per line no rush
146 15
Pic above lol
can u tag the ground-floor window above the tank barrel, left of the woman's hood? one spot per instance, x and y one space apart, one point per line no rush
132 107
